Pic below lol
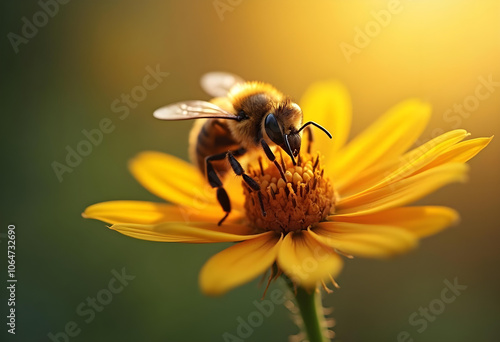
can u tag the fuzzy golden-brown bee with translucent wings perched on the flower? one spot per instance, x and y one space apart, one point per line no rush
242 117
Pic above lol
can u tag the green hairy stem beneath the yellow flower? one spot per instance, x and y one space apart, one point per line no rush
311 310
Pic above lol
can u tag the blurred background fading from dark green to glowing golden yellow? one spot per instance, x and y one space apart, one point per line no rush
65 78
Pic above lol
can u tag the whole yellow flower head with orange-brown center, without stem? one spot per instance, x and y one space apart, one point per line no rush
346 200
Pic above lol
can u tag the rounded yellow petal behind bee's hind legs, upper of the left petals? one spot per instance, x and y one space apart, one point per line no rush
173 180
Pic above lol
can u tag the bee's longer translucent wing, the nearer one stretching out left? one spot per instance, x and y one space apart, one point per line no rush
192 110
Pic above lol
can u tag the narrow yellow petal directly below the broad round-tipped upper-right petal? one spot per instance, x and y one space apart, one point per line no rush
403 166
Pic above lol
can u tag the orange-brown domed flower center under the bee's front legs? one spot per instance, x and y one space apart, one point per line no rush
291 201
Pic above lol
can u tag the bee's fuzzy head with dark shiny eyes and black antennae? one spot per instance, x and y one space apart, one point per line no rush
283 128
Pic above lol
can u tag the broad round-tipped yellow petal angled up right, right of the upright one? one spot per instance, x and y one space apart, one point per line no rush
387 139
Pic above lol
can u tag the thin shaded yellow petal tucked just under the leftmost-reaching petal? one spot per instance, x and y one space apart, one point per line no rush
193 232
